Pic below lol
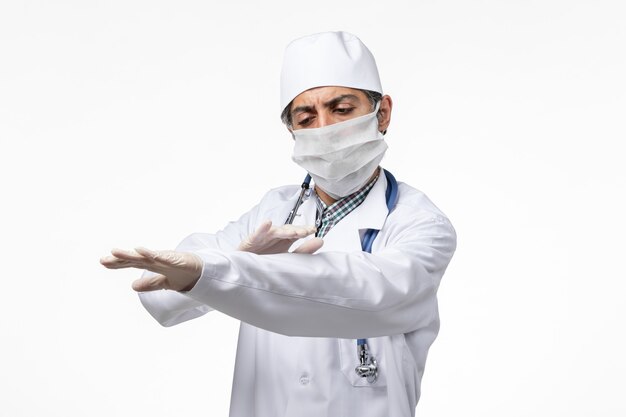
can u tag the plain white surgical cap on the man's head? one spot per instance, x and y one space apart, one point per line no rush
326 59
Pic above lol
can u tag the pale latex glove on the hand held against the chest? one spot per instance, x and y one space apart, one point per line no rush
268 239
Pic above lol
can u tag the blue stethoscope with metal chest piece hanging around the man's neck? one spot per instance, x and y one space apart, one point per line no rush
367 367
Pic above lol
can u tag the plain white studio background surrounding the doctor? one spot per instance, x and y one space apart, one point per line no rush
127 123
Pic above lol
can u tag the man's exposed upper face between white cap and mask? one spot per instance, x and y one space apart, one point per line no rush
323 106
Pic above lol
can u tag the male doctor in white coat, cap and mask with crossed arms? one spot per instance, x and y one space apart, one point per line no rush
305 292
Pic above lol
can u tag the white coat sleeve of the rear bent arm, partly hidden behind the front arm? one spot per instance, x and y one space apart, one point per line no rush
171 307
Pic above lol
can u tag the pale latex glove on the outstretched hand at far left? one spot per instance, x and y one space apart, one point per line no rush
177 271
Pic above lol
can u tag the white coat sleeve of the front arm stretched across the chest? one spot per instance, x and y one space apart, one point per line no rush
336 294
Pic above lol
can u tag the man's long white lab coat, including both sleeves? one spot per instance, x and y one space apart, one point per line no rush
301 313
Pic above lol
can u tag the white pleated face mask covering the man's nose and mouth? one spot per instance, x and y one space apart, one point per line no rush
341 157
